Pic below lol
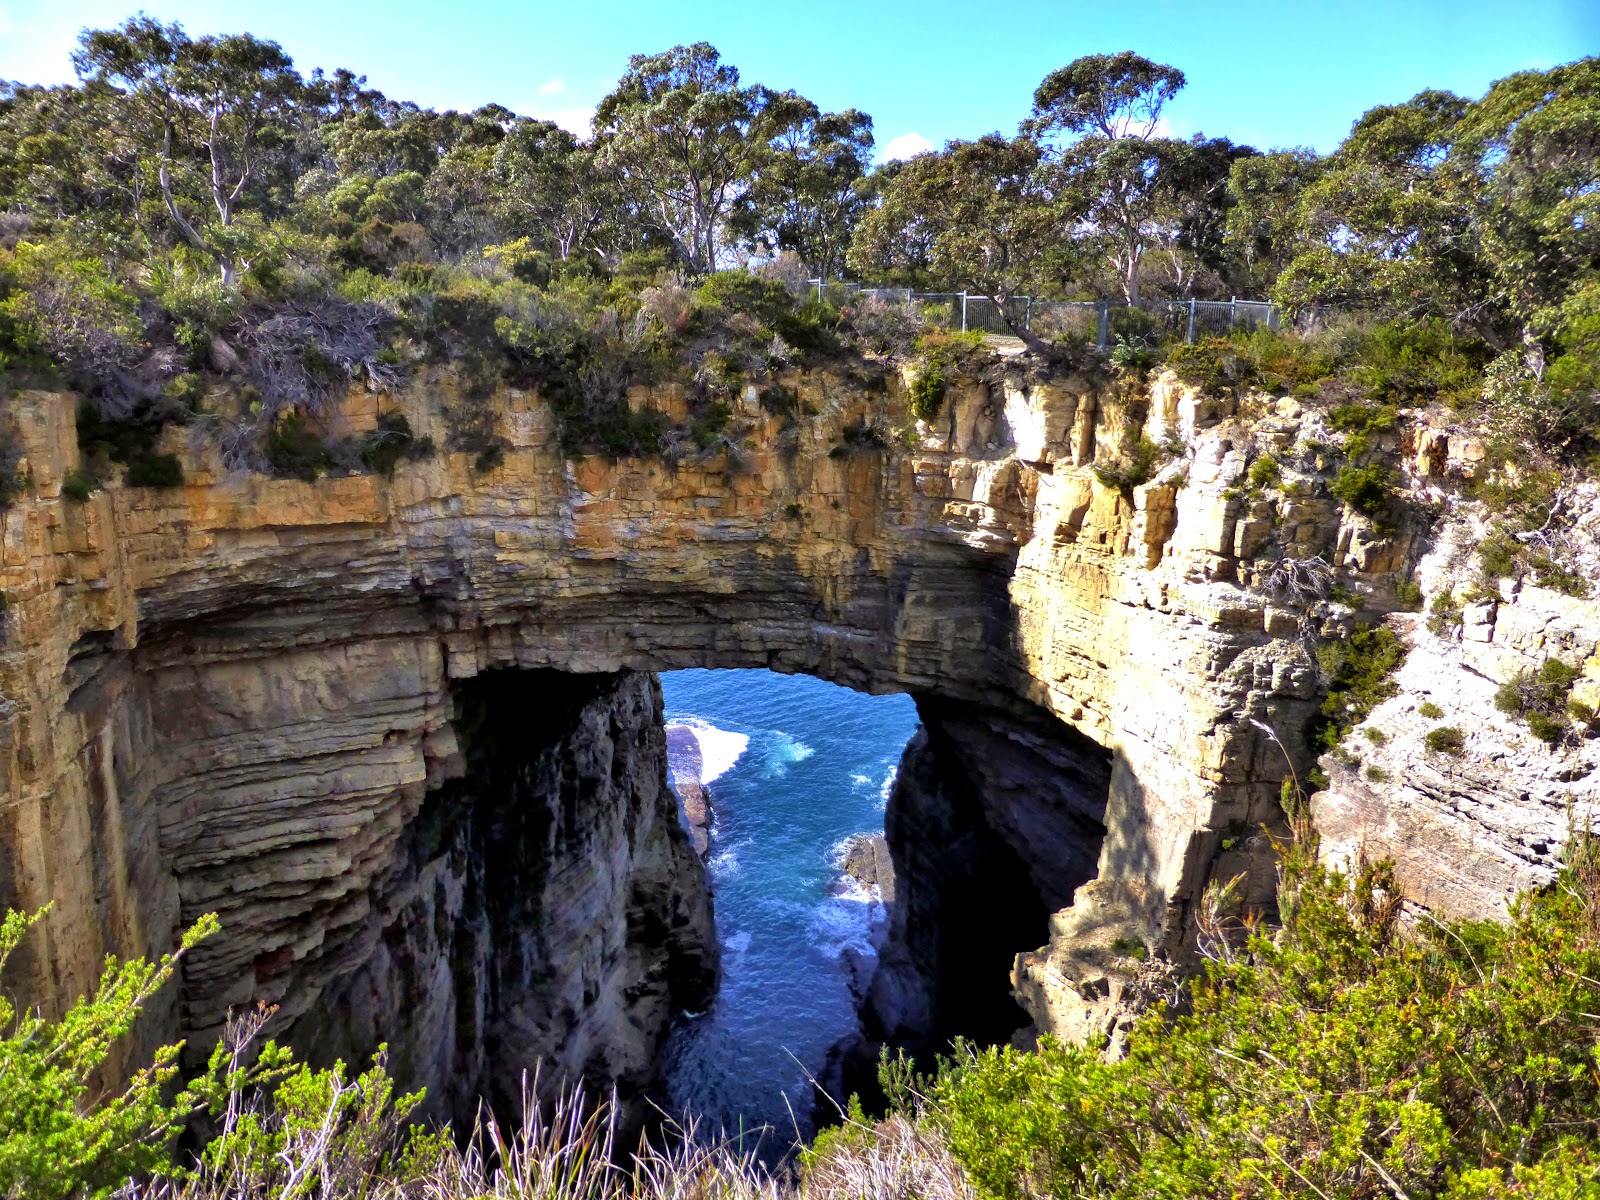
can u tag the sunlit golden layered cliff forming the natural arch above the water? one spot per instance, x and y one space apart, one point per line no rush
239 695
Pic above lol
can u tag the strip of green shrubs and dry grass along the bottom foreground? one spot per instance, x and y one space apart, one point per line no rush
1340 1050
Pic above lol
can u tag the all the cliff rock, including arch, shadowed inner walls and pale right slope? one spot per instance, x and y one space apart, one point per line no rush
402 734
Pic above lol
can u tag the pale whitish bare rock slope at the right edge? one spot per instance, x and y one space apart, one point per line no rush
1470 823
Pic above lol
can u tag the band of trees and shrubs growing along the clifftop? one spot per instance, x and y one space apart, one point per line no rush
201 231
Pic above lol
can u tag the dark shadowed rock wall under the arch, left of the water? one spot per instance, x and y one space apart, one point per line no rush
543 908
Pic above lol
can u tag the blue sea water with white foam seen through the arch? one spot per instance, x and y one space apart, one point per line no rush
794 767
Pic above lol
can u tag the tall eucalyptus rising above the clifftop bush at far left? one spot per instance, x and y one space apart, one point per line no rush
217 113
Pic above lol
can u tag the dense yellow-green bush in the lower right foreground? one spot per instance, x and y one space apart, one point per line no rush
1346 1055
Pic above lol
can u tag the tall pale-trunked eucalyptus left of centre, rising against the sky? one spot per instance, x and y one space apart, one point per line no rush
689 142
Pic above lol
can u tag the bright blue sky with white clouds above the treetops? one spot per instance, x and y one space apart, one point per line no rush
1268 74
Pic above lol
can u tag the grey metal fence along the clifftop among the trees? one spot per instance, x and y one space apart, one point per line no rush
1102 321
